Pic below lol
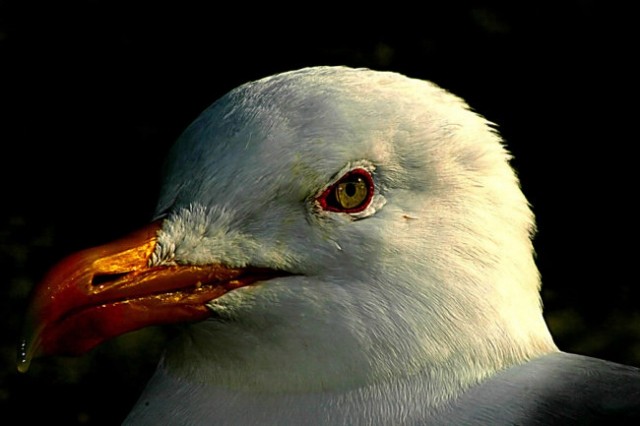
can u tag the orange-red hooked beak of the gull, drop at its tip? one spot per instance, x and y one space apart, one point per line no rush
105 291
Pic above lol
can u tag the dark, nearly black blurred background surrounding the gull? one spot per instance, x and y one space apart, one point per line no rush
93 93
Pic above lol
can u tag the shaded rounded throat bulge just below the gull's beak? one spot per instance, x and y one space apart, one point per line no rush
225 354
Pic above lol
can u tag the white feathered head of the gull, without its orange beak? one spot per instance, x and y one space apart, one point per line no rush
393 211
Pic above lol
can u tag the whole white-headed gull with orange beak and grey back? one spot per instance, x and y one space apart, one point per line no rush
344 246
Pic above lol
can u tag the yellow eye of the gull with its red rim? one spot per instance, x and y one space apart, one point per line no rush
351 194
